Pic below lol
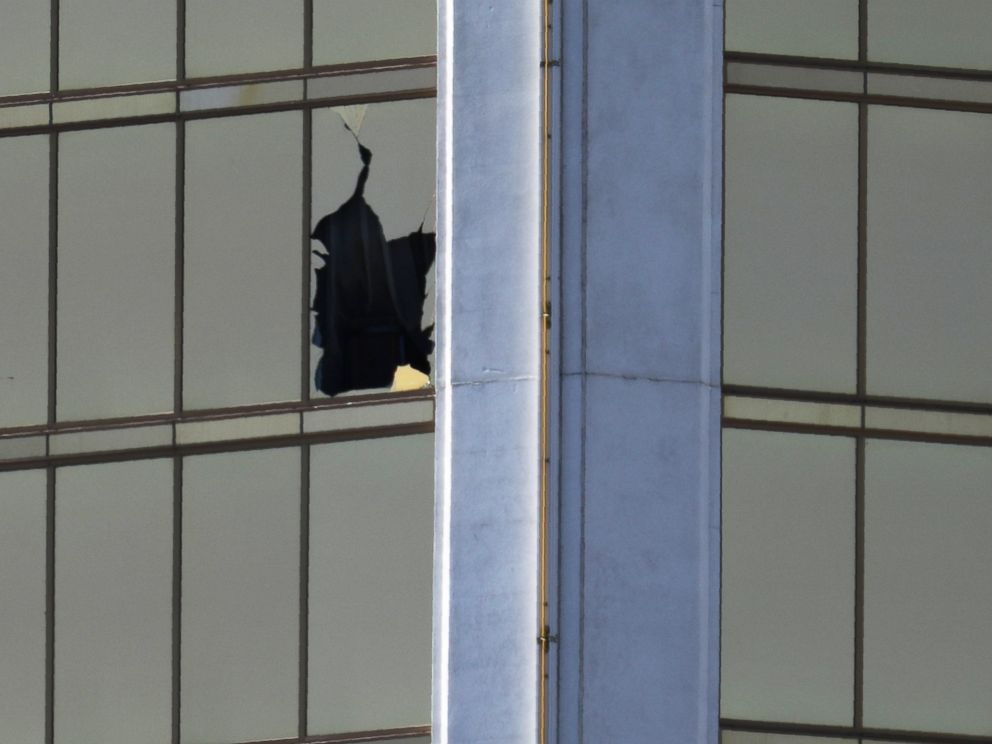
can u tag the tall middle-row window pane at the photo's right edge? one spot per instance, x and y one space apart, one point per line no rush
928 257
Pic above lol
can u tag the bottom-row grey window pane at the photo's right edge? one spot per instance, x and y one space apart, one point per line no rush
928 558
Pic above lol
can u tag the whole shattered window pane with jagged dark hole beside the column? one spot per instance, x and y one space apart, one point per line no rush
372 286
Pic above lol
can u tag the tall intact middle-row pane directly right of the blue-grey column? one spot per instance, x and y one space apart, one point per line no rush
790 313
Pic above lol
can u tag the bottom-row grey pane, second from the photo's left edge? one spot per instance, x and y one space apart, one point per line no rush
113 581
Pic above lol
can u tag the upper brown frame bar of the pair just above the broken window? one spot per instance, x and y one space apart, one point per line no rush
176 86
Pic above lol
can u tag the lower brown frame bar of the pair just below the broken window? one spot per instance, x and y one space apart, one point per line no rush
230 445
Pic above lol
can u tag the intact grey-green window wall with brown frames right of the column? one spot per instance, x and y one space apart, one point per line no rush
857 371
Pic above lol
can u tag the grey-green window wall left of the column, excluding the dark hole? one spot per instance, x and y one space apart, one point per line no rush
195 545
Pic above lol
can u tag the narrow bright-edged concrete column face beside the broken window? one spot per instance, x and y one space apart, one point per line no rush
485 649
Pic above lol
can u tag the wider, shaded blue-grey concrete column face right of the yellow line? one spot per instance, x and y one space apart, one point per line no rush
640 265
